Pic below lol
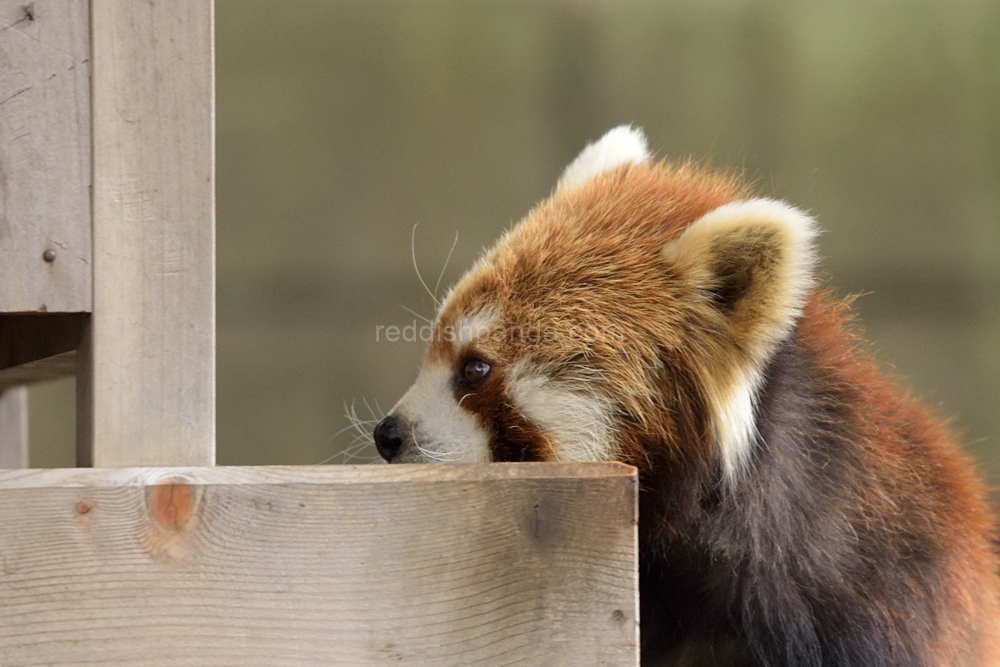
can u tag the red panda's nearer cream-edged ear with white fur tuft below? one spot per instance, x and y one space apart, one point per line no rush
754 261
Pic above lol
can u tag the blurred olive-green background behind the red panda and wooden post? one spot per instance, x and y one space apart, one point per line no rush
341 125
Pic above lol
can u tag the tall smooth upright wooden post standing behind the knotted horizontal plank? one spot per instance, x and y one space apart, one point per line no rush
150 356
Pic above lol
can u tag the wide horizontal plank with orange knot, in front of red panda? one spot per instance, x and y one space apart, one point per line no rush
464 565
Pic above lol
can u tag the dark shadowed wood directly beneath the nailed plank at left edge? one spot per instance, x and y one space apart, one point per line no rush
35 347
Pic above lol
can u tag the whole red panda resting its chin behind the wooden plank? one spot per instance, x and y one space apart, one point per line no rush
795 507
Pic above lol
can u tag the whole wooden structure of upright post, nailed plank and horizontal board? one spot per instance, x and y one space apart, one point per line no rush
147 554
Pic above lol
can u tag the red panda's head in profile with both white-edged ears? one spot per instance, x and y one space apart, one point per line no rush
628 317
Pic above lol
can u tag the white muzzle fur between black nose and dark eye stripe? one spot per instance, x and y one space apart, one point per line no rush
441 430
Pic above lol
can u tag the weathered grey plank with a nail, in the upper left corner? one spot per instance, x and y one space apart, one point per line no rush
44 156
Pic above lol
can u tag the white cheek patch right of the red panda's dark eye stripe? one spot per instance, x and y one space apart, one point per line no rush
578 421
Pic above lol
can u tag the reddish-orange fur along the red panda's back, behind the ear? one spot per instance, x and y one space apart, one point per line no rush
933 486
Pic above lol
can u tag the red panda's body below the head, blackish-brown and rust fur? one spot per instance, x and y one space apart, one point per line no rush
859 537
